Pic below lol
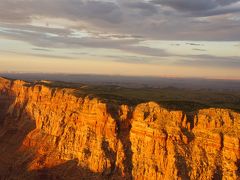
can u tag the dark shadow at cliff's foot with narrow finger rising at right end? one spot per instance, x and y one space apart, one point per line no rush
71 170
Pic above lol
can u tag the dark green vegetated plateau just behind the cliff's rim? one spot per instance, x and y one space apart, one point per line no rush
170 98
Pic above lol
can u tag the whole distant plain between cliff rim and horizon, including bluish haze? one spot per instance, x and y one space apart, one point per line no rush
183 94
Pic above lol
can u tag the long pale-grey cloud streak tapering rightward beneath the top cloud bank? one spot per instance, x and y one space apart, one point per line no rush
57 40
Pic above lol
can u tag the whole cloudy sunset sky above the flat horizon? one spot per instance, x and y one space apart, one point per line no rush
172 38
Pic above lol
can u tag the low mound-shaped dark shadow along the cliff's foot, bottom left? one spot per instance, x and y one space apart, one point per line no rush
68 170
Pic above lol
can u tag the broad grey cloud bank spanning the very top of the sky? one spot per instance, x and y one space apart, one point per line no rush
139 18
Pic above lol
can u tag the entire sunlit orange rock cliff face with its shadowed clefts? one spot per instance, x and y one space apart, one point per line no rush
49 133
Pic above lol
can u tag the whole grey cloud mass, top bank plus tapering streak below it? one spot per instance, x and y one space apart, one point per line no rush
118 25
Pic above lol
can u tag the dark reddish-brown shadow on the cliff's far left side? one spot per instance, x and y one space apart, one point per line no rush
14 127
